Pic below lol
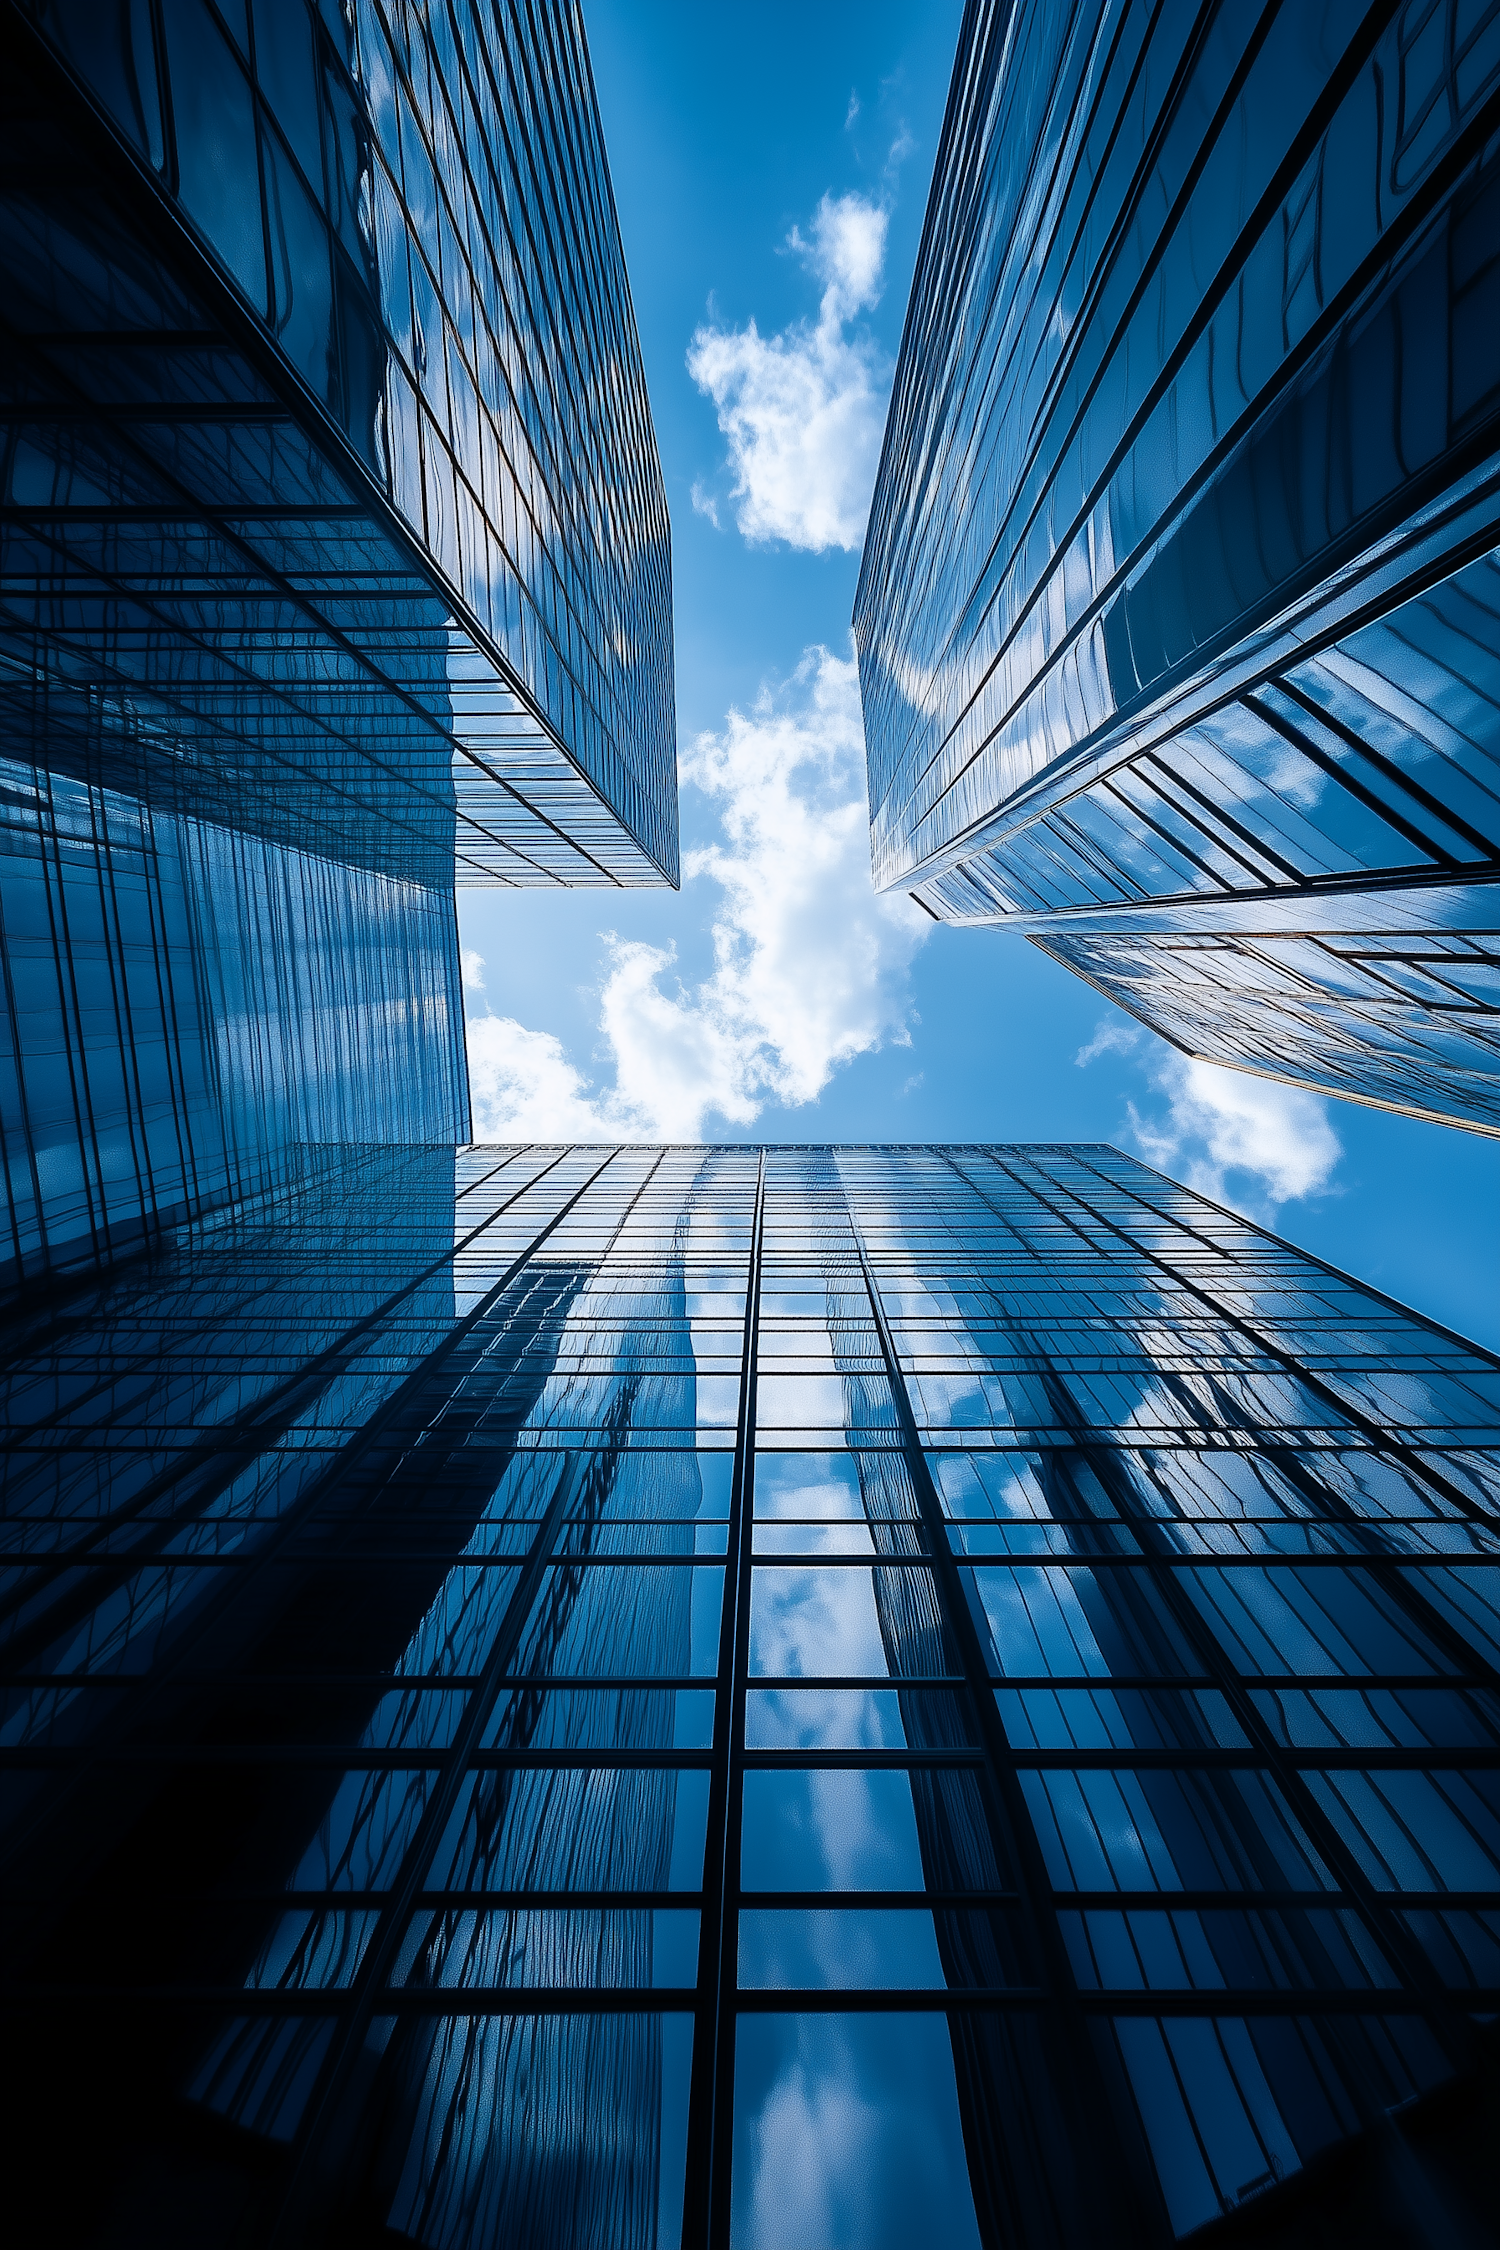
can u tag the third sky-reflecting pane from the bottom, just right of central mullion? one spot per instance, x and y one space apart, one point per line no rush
811 1830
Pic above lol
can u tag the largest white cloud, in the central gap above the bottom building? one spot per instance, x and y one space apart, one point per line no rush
808 964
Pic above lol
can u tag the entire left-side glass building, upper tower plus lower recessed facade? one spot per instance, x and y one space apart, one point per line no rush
336 568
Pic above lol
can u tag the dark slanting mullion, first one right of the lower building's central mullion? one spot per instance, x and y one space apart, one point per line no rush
1060 1997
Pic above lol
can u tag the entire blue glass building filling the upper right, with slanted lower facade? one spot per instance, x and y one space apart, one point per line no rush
1180 615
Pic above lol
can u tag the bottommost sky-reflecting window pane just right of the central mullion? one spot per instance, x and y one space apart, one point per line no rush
847 2136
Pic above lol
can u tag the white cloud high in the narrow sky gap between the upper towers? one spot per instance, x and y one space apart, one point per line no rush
804 411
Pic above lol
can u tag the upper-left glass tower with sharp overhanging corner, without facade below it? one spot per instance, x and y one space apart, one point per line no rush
381 523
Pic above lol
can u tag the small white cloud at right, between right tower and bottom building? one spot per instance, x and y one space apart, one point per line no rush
1229 1122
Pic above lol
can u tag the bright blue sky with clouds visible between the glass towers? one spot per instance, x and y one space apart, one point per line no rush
770 197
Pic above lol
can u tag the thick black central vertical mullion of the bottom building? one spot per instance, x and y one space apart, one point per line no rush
719 1956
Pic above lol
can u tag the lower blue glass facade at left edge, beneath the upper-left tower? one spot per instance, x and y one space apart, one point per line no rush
181 1005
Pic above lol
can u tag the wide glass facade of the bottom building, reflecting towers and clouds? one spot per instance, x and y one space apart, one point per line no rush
721 1695
